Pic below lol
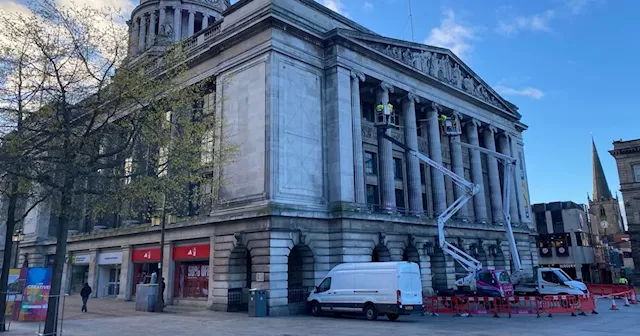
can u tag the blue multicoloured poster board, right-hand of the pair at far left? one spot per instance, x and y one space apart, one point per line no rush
36 294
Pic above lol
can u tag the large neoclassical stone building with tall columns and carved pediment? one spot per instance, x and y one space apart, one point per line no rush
312 185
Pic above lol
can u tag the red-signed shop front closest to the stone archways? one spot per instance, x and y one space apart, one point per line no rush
191 271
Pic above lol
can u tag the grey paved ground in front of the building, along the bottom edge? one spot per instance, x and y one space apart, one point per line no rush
110 317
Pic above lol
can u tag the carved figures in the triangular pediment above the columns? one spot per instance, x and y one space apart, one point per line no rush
441 67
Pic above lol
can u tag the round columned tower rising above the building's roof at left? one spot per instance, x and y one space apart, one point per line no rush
161 22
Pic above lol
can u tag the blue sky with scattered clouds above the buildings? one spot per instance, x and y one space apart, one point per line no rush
568 64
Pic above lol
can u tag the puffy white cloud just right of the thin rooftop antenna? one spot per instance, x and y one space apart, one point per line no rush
452 34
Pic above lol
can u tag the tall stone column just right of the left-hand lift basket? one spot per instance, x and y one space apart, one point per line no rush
413 164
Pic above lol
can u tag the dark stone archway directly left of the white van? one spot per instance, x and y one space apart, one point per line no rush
300 274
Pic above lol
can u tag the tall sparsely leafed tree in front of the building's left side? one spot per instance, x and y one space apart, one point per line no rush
97 140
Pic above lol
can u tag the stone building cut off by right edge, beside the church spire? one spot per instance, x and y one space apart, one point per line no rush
627 155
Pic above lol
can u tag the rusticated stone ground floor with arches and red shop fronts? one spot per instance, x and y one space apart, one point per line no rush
216 265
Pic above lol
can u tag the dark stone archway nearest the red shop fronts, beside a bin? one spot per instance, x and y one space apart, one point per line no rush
240 277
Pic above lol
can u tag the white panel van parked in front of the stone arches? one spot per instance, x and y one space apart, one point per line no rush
374 288
